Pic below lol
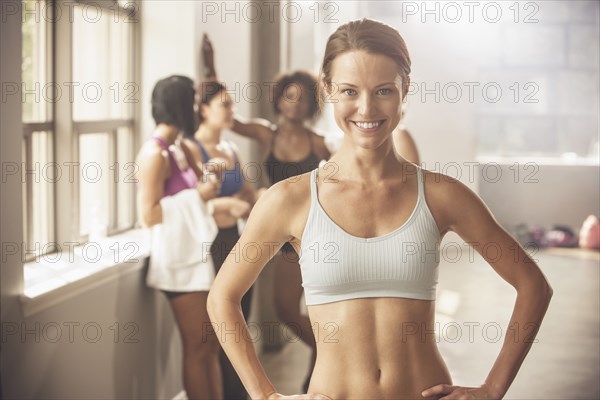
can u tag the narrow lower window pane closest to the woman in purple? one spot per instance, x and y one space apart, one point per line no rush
126 179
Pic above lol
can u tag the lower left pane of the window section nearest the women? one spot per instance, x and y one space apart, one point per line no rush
95 189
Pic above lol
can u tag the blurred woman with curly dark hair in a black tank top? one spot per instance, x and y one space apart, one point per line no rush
290 147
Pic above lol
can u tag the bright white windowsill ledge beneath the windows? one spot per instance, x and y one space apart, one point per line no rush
56 277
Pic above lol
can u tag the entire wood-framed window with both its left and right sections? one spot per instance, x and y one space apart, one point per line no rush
79 105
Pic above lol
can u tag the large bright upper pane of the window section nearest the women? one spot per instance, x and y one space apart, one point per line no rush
102 65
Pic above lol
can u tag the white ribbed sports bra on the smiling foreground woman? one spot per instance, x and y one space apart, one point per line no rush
338 266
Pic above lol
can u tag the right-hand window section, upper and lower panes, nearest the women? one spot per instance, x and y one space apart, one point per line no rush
103 118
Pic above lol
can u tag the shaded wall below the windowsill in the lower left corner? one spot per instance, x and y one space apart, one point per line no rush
117 340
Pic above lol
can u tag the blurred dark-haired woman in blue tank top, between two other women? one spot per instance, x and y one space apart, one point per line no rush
215 113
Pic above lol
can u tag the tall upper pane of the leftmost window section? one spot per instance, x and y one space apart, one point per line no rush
37 92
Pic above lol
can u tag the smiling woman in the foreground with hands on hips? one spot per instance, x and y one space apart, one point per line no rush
371 300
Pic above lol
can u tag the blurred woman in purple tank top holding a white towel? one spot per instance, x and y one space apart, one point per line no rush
170 185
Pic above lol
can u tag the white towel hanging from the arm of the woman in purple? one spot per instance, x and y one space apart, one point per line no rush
180 259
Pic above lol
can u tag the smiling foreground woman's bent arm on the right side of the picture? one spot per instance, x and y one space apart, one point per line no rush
465 214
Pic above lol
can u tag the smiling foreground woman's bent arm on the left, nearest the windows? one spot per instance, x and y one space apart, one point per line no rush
262 237
